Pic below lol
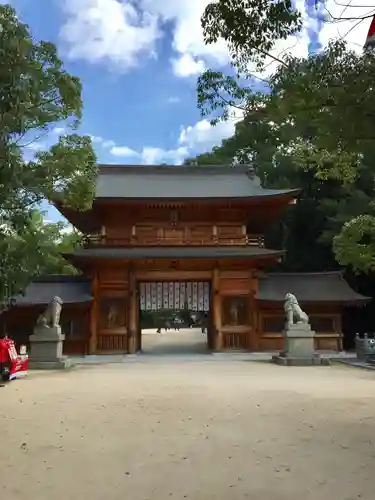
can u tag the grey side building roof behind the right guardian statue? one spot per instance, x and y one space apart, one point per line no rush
329 287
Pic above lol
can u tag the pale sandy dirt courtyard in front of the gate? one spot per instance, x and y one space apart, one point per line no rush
163 428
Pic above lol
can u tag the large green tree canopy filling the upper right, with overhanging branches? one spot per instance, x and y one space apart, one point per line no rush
316 114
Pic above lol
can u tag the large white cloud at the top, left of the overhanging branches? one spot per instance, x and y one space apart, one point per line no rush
115 32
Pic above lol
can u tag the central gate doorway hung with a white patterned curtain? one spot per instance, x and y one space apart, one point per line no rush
174 317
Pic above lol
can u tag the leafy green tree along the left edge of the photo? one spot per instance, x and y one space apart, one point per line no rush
35 94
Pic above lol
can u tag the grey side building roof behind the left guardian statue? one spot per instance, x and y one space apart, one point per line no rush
71 289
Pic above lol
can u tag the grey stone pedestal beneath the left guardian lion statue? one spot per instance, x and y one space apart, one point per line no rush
46 347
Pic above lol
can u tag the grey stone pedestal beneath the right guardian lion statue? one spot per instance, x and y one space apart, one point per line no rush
299 347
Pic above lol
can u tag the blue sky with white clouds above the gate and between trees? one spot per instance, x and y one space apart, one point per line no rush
138 62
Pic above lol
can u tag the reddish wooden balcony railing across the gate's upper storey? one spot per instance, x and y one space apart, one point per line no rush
105 241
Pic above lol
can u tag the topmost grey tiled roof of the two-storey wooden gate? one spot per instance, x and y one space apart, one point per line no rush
157 182
